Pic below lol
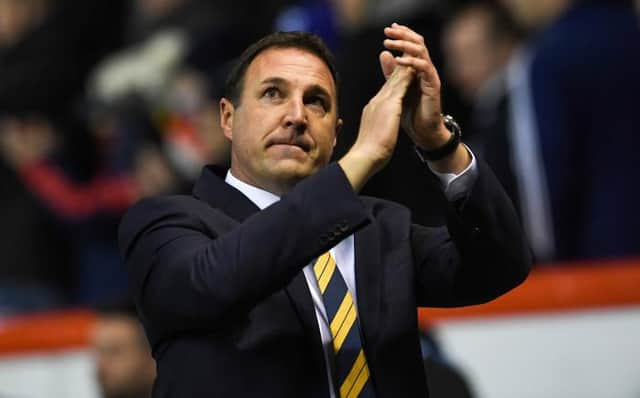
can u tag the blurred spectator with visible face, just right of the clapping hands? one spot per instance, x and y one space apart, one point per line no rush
485 60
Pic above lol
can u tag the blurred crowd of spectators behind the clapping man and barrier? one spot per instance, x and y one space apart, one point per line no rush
103 102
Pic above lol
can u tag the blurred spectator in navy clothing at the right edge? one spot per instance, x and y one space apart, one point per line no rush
584 85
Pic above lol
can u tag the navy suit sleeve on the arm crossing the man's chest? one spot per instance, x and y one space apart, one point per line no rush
191 266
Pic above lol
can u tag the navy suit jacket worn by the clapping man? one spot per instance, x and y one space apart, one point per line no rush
221 293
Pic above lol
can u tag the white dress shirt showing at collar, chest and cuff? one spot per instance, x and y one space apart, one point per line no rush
454 186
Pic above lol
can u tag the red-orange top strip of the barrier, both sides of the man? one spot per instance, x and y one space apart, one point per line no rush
549 289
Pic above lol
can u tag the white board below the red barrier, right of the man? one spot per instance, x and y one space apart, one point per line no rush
586 354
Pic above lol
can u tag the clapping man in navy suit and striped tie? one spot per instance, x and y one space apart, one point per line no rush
280 281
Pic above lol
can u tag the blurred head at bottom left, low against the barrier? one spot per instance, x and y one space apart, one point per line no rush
124 366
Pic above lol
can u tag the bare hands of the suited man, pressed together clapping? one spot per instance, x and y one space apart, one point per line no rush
421 113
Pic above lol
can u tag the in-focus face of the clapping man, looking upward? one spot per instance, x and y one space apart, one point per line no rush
284 127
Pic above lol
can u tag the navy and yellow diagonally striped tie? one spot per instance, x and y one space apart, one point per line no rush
351 370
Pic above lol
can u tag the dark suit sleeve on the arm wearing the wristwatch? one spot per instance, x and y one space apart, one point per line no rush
479 256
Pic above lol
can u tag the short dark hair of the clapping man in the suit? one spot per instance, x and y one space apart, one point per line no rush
297 39
